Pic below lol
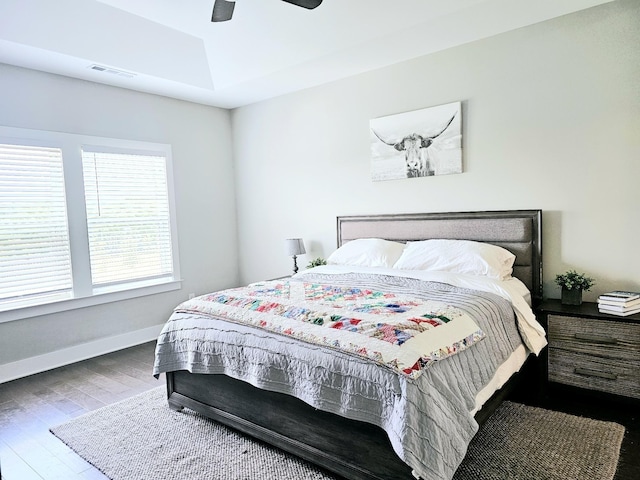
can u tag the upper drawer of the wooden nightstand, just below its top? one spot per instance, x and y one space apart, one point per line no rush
593 337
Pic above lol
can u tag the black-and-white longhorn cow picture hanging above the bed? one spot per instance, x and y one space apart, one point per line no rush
421 143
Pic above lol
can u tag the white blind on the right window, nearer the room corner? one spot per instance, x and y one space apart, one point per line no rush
128 218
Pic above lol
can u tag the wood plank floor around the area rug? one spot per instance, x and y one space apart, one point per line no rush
30 406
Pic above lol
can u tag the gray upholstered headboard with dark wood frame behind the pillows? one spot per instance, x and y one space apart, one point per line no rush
519 231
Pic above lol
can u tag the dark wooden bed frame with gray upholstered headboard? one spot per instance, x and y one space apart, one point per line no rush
357 450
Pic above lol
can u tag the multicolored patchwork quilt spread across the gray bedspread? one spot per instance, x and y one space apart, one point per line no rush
400 331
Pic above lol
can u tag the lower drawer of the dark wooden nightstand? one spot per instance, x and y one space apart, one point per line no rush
621 377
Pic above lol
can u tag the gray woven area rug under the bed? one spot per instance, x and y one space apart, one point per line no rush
142 439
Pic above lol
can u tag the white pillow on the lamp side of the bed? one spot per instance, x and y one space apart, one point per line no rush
367 252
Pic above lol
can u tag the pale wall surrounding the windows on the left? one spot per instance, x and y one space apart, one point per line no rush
201 145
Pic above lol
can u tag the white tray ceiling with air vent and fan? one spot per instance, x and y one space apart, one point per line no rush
269 48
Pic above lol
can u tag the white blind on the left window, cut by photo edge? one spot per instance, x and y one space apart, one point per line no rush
34 238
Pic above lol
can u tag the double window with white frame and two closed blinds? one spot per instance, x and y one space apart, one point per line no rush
85 220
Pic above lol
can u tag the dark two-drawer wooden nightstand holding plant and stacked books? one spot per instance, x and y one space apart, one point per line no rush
592 350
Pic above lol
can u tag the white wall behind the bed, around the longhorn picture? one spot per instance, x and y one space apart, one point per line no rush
551 120
